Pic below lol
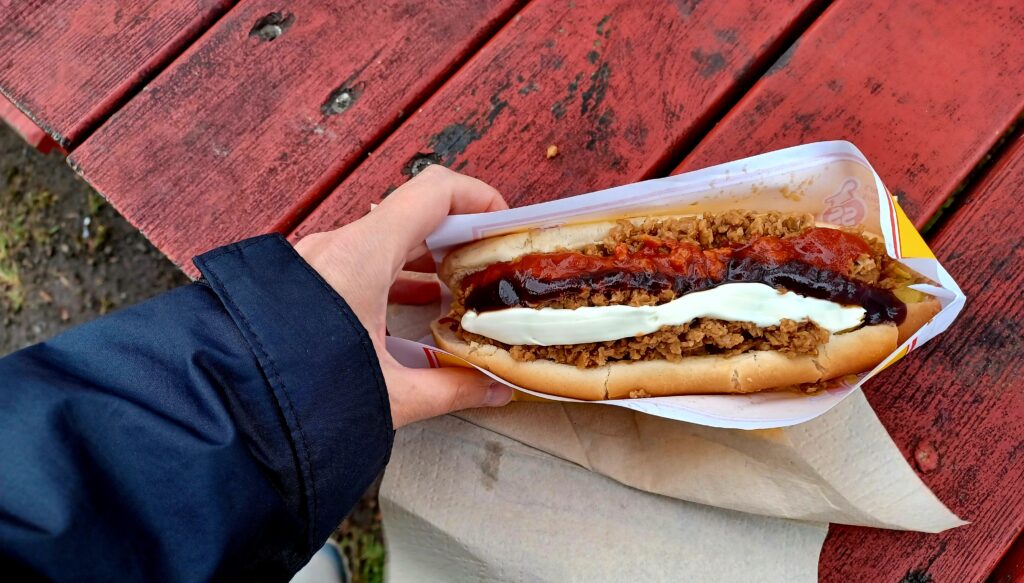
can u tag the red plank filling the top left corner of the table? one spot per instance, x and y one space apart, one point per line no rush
70 63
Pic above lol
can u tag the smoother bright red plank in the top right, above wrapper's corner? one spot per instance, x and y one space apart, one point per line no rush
924 89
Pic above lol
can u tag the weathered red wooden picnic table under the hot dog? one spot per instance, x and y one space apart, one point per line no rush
207 121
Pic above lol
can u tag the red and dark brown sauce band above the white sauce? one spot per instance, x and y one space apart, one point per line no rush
816 264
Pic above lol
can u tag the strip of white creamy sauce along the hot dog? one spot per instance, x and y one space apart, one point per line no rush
758 304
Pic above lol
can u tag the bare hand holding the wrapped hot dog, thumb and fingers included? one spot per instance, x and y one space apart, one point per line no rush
363 262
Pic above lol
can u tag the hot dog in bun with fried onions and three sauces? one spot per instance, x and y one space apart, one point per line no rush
680 305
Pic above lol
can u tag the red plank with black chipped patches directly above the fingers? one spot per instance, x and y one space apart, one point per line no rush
618 88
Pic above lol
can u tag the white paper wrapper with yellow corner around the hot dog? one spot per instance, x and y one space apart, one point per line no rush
832 181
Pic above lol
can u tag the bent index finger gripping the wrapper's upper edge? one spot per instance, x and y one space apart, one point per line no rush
412 213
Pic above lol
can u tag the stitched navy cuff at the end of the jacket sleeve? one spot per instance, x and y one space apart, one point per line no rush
326 383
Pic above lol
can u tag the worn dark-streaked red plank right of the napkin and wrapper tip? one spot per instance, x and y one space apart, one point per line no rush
956 408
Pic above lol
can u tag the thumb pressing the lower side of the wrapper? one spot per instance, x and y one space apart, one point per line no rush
421 394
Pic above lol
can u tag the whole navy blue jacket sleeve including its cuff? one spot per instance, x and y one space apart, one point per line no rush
219 432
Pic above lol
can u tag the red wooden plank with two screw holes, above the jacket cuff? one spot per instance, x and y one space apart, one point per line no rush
265 113
